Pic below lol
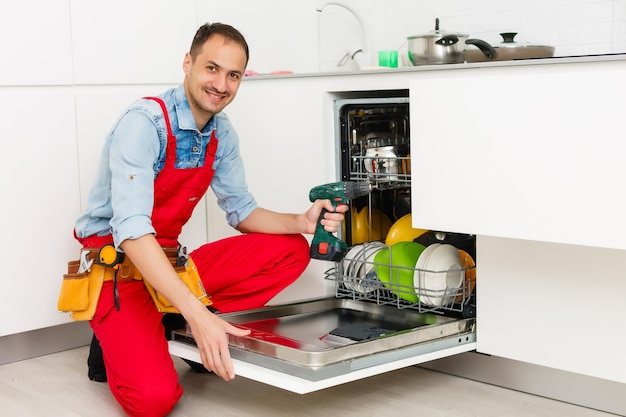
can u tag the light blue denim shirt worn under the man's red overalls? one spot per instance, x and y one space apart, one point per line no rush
121 199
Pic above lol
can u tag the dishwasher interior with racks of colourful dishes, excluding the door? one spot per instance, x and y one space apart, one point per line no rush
389 261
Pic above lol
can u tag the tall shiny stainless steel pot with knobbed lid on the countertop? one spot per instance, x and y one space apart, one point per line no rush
437 47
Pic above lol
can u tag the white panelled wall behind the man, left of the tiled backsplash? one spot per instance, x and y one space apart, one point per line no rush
69 67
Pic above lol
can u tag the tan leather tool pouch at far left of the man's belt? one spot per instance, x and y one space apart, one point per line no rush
80 291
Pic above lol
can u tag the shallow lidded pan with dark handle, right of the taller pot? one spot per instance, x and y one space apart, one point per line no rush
505 51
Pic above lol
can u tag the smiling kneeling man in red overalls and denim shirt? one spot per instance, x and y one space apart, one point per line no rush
144 193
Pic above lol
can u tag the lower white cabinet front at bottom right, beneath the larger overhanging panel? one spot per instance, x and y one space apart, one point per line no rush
553 305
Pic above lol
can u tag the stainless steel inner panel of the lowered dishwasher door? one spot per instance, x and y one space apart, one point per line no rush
294 335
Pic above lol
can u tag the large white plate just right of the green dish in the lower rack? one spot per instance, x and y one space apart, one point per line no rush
441 276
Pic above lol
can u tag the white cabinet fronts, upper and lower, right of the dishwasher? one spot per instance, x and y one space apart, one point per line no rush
528 158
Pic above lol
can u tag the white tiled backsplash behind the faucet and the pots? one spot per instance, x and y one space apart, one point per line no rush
575 27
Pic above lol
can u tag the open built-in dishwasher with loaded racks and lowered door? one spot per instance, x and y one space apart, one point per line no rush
380 317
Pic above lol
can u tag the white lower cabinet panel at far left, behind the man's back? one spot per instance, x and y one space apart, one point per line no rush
40 201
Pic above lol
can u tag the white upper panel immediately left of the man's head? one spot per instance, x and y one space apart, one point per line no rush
131 42
